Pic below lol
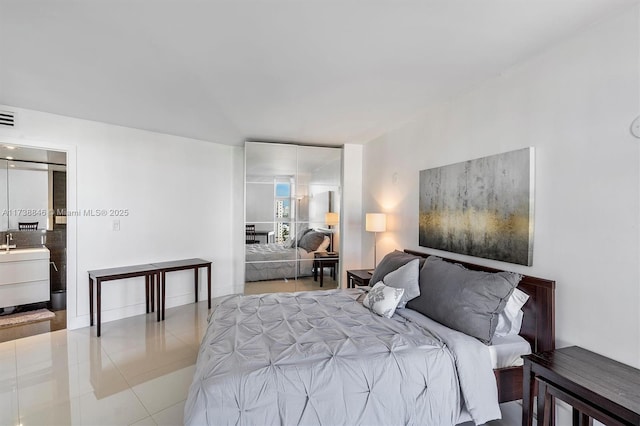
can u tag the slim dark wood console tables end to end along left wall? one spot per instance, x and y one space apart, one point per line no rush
154 273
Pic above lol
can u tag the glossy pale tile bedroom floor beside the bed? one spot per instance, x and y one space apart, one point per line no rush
137 373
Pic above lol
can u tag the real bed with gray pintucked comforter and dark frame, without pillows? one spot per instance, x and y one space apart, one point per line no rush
323 358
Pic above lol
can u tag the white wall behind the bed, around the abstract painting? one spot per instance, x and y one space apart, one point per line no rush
574 103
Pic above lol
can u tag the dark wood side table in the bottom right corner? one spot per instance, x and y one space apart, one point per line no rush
595 386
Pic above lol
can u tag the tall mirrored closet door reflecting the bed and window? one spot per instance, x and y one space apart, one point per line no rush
292 217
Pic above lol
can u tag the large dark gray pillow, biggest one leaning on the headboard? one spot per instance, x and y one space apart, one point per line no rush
465 300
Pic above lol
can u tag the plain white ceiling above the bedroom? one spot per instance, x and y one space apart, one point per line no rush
310 71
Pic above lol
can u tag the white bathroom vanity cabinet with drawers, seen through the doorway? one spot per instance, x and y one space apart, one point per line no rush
24 276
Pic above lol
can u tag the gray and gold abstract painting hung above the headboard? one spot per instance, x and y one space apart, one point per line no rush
481 208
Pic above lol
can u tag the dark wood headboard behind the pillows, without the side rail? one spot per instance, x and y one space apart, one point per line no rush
538 323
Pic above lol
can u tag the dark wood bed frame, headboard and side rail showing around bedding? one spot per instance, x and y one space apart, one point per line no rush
538 325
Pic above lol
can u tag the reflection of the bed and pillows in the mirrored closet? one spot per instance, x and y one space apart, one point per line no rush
276 261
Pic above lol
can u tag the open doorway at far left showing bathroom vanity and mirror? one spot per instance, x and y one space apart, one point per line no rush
33 240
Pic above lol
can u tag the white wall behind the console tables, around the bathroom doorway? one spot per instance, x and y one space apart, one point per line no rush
179 193
